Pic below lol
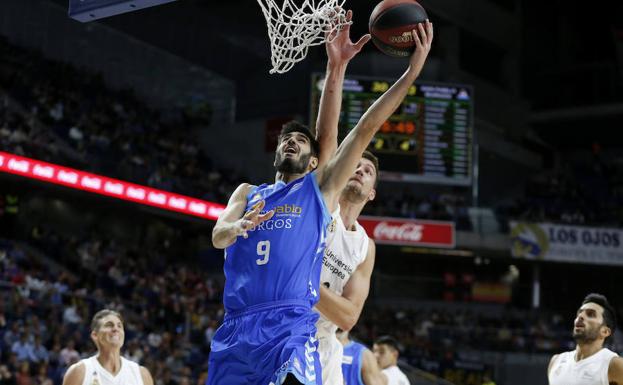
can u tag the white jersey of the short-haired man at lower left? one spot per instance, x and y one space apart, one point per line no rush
95 374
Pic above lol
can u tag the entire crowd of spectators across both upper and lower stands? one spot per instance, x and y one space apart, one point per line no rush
58 113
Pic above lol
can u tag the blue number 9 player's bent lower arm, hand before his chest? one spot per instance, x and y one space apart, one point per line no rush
232 223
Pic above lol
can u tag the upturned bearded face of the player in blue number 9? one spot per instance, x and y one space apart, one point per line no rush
293 153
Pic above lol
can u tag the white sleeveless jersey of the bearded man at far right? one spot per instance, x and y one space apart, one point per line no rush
593 370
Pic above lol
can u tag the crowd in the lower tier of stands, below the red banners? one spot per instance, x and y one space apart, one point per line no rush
172 311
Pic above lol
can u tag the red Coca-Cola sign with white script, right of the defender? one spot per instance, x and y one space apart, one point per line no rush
409 232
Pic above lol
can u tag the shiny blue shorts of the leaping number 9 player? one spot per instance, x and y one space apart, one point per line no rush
265 343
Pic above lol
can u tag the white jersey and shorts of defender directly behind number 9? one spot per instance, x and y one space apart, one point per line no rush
345 251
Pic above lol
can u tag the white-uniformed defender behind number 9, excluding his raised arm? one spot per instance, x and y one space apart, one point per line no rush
348 264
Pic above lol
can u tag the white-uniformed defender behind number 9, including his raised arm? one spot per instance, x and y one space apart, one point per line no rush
349 255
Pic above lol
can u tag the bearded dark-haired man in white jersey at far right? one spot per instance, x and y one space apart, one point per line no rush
590 363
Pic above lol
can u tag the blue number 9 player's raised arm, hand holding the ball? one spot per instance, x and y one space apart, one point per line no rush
334 176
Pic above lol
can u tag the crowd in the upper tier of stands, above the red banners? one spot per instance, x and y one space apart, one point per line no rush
56 112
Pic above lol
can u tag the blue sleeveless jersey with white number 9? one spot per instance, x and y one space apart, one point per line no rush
282 257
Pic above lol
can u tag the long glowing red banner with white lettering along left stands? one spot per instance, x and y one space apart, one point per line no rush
80 180
